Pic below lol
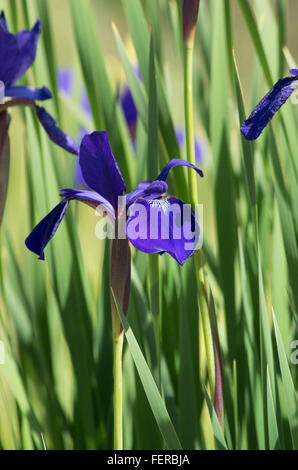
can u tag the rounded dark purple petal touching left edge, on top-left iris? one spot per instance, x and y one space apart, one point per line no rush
10 57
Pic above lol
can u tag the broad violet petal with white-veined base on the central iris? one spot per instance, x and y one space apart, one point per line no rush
163 225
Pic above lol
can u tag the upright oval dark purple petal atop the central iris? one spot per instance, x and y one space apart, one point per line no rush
99 167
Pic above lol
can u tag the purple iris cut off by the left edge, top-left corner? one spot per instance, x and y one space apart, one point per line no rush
17 54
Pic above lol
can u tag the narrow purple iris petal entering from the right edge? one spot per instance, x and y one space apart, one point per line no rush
268 106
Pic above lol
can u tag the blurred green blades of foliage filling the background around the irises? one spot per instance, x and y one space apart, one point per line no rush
56 383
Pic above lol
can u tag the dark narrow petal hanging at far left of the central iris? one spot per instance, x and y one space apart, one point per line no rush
46 229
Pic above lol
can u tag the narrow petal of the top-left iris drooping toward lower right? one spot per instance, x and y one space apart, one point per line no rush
56 134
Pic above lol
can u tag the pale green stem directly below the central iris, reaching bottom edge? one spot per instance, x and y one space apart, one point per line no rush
117 363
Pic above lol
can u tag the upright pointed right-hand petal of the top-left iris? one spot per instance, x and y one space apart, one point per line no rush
27 43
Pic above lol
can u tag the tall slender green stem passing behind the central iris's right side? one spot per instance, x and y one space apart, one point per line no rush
190 138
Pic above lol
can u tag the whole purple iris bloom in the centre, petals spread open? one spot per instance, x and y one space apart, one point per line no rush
102 174
